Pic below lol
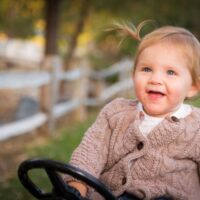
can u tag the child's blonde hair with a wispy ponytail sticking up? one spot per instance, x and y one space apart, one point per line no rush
172 35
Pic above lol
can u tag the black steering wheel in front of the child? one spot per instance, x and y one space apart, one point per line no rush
61 190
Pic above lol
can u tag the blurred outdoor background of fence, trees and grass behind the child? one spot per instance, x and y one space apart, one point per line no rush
59 65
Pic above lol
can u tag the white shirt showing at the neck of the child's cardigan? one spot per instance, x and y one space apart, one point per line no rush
150 122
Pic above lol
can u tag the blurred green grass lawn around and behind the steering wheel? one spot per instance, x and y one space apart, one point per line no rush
59 148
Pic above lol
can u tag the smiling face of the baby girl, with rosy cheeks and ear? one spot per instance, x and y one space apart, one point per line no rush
162 79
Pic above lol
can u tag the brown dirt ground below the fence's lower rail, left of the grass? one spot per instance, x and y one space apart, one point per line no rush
13 152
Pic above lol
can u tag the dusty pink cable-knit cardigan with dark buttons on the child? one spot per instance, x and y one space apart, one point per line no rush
166 162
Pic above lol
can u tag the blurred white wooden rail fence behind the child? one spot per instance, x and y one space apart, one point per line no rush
19 80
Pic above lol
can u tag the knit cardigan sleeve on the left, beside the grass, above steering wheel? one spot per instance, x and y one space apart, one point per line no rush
91 154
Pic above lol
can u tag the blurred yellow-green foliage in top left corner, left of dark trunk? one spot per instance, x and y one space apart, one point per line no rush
18 18
